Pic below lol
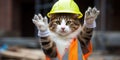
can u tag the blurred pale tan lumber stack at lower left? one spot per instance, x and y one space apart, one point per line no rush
23 53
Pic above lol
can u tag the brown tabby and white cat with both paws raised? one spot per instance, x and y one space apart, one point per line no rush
62 28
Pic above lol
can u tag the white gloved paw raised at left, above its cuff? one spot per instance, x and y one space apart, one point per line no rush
40 22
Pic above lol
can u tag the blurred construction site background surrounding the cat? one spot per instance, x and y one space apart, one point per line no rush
18 35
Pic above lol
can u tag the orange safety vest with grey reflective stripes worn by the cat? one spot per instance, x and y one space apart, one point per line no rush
74 52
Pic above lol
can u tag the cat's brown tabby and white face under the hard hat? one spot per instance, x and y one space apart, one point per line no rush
64 24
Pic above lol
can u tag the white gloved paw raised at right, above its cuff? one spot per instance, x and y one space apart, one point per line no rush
91 14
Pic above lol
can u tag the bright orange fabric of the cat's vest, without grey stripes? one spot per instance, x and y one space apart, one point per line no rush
73 52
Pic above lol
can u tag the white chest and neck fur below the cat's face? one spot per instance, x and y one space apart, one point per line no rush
63 42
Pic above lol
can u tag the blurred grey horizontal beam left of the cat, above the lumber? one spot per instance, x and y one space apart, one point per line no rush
26 42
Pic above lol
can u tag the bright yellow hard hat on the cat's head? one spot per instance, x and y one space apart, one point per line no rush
65 6
